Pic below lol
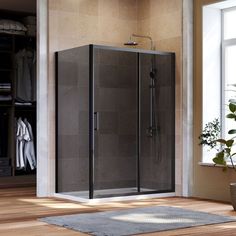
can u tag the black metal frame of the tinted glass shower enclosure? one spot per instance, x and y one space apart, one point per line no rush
91 115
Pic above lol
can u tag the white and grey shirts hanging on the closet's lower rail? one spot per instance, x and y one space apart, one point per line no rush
24 145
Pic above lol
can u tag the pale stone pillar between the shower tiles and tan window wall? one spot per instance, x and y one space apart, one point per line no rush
187 97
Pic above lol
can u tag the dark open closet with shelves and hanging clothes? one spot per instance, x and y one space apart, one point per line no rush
17 97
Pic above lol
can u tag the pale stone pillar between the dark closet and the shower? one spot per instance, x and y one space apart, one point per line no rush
45 164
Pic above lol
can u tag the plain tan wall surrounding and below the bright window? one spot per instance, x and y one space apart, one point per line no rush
209 182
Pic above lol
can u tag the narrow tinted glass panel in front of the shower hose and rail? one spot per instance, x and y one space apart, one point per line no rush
157 122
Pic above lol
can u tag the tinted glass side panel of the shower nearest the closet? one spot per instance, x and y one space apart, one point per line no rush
73 121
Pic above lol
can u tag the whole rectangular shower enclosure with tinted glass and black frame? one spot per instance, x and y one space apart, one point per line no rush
115 131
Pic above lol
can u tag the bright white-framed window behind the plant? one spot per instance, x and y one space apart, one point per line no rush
219 67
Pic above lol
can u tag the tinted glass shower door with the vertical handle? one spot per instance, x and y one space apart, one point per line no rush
115 122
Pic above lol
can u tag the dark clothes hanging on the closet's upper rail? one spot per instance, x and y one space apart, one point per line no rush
25 62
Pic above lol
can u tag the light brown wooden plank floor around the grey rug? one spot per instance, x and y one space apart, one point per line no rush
20 210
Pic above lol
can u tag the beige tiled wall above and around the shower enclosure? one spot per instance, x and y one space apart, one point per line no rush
110 22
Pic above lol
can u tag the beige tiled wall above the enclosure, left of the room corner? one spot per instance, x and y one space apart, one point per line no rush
78 22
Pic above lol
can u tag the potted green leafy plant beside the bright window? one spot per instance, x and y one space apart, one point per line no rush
225 154
